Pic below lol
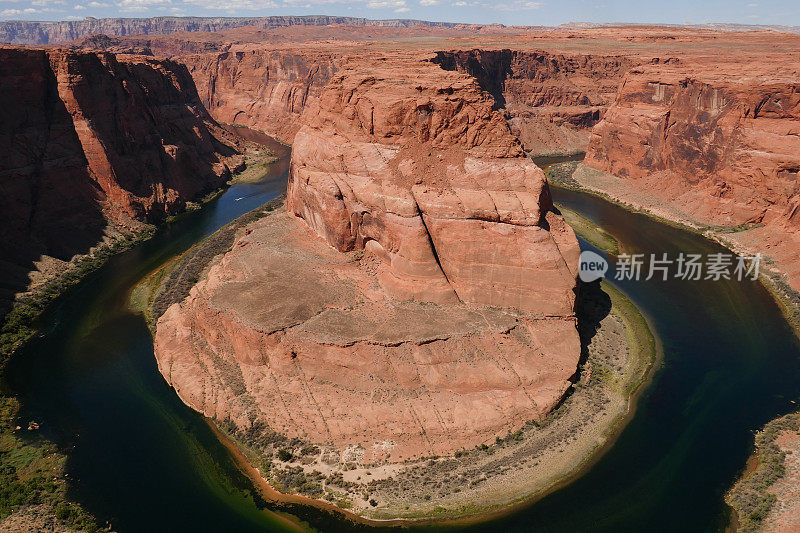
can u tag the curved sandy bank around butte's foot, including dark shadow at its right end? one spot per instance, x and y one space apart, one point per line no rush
619 350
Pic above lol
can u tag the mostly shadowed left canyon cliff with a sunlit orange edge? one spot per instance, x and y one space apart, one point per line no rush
92 140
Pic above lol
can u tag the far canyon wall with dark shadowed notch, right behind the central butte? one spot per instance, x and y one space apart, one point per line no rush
551 100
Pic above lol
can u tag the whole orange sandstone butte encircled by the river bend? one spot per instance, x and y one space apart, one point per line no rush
416 297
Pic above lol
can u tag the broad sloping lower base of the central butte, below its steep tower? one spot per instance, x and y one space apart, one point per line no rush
290 332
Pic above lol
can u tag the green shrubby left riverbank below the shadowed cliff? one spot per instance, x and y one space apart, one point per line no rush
51 508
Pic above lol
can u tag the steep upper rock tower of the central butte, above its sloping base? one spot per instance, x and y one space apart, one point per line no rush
422 172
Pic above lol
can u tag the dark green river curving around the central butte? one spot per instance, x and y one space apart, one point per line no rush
143 461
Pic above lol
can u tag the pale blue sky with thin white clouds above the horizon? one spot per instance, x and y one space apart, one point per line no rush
526 12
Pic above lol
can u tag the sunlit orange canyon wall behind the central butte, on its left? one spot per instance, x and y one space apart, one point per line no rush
259 88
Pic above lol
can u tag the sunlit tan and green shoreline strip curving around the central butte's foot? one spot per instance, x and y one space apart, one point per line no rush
513 486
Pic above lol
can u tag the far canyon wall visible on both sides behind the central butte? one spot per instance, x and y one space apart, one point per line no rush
549 100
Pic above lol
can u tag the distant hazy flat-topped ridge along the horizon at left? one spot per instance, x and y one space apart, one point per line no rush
30 32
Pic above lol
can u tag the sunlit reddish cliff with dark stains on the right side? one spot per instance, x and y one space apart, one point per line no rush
721 145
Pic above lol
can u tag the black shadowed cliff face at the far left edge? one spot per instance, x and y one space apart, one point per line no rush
49 203
